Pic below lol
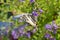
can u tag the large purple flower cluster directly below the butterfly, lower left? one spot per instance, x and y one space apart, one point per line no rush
18 32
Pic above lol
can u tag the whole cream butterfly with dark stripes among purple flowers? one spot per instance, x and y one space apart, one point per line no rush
26 17
